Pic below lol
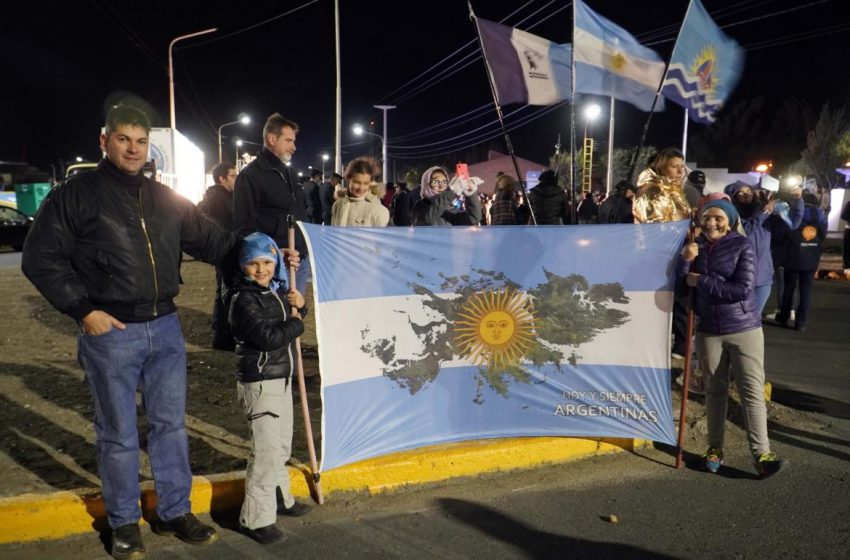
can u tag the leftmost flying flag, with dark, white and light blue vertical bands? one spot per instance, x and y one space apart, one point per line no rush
525 68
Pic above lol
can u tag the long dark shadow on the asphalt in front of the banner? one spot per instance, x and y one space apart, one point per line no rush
533 542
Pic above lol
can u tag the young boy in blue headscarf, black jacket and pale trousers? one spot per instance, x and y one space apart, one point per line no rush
265 330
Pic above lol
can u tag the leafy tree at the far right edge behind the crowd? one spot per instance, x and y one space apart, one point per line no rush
826 148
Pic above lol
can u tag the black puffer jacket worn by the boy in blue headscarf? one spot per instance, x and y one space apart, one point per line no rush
264 333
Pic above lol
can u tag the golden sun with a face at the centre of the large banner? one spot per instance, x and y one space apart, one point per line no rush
495 328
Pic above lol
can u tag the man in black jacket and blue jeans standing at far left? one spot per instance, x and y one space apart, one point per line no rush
105 249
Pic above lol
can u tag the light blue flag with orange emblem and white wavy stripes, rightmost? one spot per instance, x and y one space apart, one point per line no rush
705 67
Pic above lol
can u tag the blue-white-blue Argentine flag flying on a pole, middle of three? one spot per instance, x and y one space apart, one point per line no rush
609 61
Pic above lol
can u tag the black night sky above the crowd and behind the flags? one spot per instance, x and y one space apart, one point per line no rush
64 62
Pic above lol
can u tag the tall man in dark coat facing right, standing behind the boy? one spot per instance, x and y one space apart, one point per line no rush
266 194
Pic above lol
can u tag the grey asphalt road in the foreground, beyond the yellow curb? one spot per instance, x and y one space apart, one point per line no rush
562 512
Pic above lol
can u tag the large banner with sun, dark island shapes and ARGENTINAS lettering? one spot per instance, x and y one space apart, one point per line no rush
441 334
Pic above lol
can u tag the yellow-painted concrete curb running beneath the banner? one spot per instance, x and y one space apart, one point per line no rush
31 517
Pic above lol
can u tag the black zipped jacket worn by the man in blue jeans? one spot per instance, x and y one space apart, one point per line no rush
113 242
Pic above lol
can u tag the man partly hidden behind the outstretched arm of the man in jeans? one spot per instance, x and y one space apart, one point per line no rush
217 204
